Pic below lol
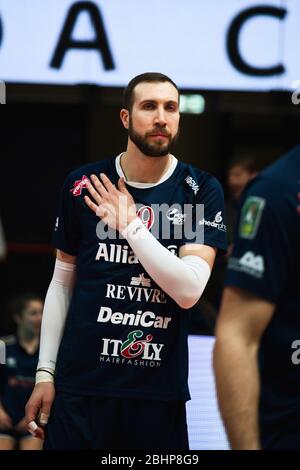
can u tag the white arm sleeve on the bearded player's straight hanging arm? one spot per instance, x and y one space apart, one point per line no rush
54 316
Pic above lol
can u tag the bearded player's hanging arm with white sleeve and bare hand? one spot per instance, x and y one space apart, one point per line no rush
54 315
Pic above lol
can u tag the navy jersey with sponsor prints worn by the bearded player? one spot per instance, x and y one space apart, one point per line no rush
124 336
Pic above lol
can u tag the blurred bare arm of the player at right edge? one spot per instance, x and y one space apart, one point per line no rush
241 323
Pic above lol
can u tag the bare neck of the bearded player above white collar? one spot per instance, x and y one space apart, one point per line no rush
143 169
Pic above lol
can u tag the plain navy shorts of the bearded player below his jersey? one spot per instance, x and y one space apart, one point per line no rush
88 422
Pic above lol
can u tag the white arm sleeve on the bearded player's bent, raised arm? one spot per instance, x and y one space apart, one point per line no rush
182 279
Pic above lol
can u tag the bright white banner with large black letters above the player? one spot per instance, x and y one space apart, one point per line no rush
216 44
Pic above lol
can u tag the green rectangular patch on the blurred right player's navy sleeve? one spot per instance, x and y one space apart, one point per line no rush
251 216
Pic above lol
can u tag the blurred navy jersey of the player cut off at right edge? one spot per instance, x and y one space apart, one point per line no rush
266 262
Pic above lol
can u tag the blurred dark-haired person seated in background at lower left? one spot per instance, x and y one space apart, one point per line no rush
18 374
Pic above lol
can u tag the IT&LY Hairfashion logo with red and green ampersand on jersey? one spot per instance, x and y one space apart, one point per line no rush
126 352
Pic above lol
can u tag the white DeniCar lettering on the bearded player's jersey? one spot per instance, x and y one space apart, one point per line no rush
145 319
